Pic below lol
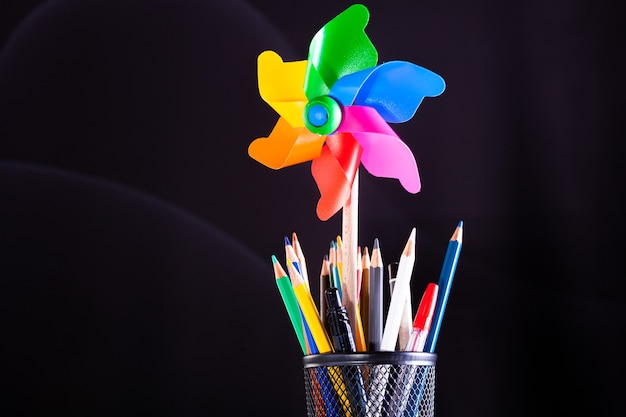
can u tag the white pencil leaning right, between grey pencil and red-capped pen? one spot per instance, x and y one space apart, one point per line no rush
398 298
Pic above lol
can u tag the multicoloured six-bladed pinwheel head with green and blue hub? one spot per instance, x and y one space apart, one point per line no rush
335 108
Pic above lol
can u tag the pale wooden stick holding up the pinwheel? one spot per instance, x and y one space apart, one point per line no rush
349 236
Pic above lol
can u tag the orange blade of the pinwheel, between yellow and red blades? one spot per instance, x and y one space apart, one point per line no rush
286 146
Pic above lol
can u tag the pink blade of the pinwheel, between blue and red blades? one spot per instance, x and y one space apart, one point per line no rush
384 153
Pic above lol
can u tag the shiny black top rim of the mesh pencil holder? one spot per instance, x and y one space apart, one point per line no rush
370 358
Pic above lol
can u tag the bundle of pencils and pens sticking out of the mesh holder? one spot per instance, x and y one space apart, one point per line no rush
349 315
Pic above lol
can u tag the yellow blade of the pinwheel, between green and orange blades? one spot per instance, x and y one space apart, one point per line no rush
281 85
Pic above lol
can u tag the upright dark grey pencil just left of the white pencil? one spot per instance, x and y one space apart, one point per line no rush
376 298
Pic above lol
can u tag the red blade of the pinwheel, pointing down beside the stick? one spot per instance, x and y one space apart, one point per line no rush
334 172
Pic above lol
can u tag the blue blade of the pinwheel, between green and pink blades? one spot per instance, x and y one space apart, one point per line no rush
395 89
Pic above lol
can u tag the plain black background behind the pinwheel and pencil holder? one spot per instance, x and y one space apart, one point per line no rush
136 233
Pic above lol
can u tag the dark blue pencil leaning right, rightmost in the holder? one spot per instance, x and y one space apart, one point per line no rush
446 277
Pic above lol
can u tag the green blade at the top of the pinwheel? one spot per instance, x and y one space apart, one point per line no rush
339 48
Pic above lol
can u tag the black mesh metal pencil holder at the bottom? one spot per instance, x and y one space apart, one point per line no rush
377 384
